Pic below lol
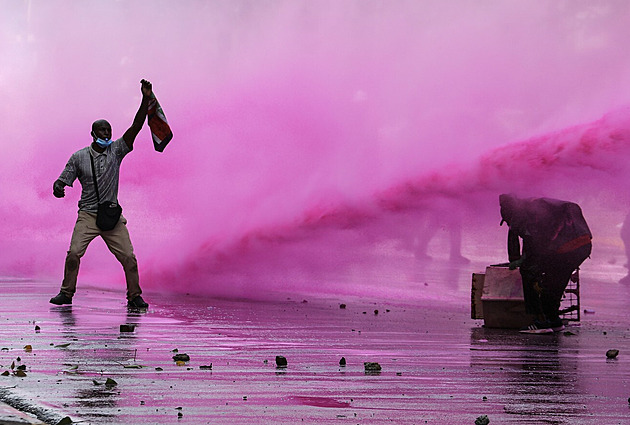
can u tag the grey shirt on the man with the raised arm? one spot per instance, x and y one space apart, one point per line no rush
107 167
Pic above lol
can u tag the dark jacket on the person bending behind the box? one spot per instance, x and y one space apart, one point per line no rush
547 226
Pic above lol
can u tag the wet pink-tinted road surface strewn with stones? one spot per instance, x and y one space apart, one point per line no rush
438 366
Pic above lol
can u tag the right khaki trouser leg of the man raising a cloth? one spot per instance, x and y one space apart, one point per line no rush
119 243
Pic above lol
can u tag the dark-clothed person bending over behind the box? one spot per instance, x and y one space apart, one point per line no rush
556 240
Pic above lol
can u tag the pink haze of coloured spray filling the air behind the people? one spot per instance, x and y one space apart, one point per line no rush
316 142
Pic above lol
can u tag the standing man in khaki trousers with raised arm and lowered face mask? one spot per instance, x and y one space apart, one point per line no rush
100 163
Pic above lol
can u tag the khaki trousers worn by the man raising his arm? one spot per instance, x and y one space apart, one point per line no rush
118 242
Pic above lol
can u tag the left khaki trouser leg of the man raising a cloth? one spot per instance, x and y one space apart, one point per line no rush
84 232
